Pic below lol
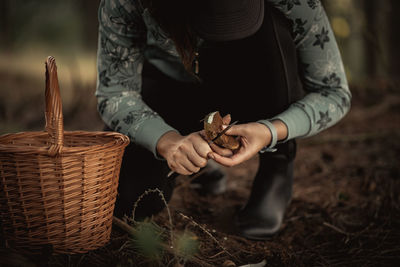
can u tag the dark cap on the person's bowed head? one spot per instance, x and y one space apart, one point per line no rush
225 20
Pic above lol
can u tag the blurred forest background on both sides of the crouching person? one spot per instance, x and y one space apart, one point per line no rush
366 31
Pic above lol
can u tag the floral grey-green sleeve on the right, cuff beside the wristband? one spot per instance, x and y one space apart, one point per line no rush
328 96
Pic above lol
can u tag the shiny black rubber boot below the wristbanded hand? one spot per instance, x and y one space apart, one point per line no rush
271 193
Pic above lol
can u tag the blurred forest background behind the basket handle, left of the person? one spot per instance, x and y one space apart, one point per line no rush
29 32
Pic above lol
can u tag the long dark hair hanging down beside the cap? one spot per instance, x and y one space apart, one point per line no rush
172 16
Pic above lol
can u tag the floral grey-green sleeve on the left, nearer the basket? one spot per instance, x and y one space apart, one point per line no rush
122 36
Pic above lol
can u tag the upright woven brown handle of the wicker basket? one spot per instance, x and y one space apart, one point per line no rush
54 117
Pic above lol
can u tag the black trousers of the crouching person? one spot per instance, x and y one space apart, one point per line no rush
252 78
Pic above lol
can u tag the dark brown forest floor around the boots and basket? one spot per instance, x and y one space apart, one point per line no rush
345 209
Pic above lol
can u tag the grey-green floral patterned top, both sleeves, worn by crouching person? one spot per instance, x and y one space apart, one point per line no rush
128 34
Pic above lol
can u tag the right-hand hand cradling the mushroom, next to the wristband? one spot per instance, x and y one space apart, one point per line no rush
253 137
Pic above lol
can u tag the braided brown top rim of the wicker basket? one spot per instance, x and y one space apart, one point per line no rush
116 140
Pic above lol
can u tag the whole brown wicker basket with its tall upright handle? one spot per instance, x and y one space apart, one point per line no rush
58 188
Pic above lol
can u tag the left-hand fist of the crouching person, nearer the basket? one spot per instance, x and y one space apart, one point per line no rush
184 154
